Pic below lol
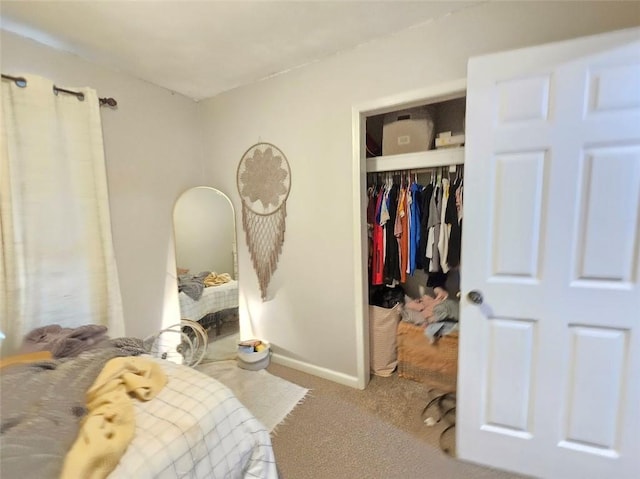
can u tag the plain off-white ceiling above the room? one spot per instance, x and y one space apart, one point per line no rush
202 48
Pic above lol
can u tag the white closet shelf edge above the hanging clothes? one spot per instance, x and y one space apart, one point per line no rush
414 161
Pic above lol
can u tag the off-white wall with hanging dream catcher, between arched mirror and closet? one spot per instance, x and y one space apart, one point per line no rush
307 113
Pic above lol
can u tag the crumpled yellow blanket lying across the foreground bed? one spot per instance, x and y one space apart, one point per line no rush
109 425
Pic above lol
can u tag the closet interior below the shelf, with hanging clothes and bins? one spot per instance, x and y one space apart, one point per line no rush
414 235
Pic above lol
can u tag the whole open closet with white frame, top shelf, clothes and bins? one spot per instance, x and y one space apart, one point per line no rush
410 163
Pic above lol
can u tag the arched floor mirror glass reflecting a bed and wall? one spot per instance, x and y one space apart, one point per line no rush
205 242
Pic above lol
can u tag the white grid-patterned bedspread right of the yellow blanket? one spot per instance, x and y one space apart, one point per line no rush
196 428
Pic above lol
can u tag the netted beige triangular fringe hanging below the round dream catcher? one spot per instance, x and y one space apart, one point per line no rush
265 237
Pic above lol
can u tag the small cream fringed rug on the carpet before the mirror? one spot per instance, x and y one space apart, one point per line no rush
270 398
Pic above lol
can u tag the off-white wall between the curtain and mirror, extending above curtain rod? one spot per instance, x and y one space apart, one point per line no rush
153 153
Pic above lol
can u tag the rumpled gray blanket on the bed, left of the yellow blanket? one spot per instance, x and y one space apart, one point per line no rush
42 407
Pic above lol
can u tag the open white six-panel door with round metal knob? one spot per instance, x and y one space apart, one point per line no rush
549 378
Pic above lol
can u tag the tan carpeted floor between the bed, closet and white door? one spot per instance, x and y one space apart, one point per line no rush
379 433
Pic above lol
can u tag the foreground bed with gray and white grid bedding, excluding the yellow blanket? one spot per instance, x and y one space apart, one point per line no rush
195 427
